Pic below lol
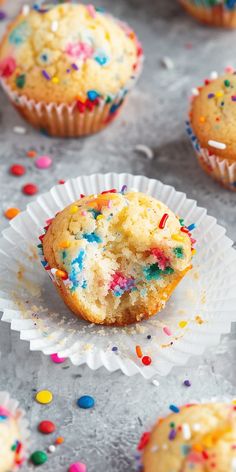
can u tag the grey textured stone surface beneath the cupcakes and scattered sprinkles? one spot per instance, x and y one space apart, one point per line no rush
105 438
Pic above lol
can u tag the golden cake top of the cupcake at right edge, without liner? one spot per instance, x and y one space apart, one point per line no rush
213 116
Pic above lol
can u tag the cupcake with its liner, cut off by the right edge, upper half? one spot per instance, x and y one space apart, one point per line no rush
211 127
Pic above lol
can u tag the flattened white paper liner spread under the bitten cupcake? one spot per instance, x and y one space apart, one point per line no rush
200 310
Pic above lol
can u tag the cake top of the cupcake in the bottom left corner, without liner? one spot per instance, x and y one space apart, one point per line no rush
10 442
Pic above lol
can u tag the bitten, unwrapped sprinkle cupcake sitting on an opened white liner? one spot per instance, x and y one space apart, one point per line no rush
116 257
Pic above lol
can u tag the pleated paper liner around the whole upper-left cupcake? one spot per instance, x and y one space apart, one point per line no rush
67 120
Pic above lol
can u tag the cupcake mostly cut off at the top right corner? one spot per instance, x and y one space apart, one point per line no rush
212 12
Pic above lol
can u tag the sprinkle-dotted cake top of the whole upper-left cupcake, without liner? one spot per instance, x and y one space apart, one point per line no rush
68 52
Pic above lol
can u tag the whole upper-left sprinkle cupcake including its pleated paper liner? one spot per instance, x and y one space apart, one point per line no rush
68 68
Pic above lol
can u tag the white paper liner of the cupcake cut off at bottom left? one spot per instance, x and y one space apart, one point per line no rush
13 407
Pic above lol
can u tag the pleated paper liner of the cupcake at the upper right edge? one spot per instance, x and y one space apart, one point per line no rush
215 166
